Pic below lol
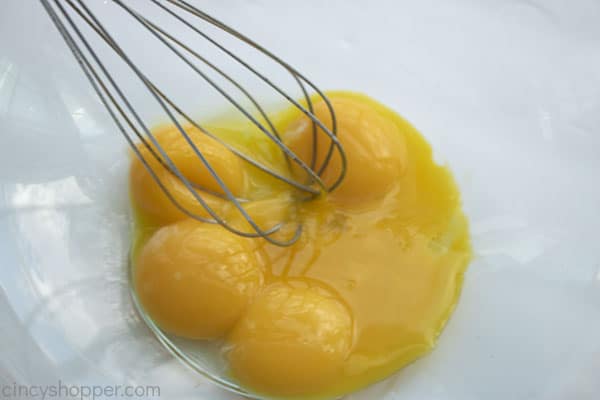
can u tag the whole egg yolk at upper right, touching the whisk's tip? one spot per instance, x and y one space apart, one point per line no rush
374 147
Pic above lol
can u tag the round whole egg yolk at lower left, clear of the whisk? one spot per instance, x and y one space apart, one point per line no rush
196 279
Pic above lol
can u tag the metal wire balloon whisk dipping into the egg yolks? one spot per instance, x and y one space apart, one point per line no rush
68 17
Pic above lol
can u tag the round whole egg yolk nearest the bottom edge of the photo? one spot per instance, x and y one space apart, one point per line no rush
291 338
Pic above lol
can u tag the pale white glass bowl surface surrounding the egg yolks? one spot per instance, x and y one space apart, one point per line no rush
507 92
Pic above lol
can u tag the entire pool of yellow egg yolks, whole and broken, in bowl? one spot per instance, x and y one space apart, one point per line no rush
366 289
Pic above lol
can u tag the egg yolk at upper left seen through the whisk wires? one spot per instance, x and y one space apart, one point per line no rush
152 201
